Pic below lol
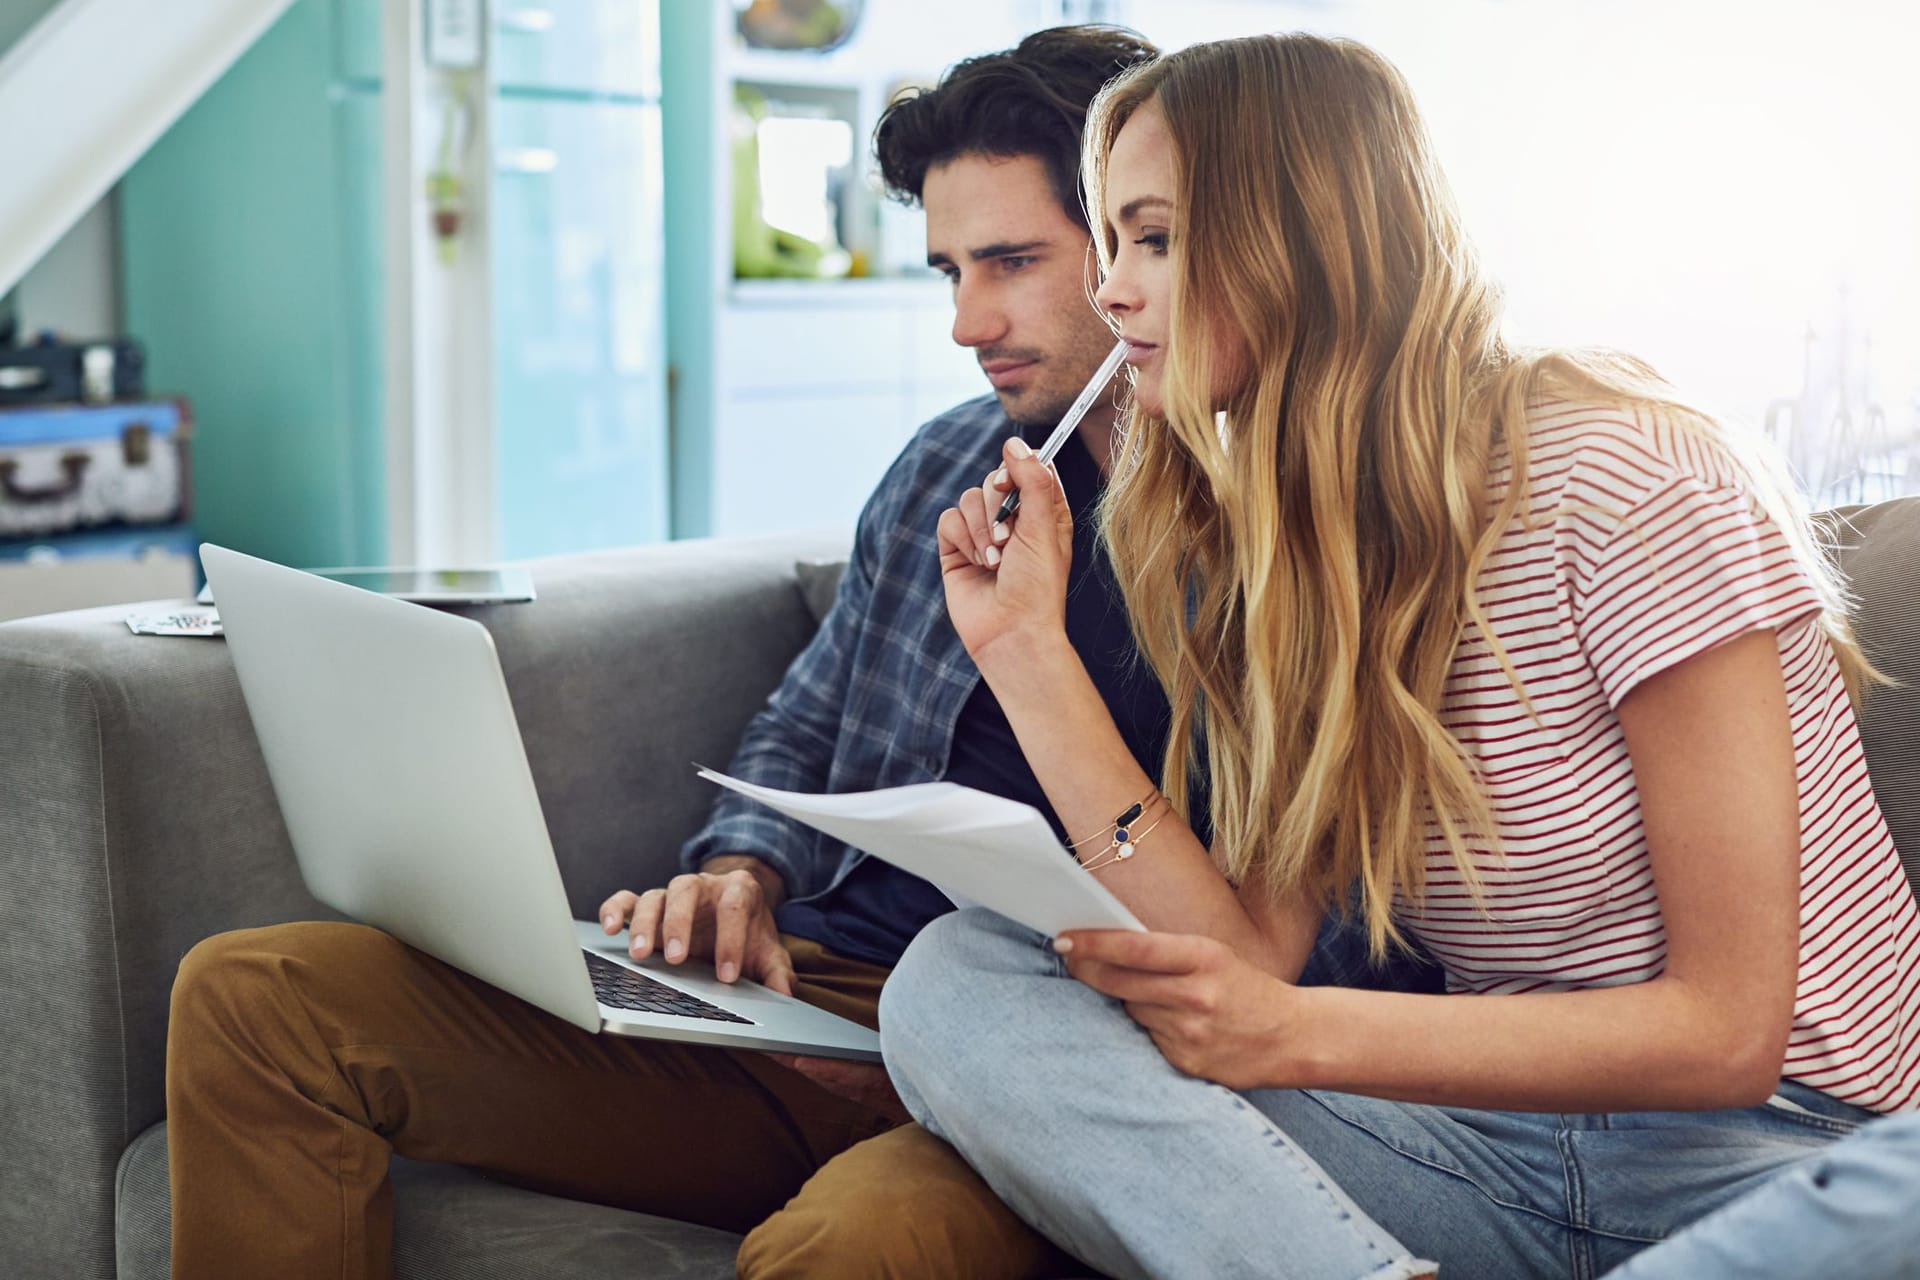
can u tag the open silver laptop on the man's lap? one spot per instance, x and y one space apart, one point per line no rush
398 765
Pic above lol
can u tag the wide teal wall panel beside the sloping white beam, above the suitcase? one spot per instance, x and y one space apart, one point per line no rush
252 273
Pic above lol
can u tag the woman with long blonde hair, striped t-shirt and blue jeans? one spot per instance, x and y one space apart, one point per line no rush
1508 653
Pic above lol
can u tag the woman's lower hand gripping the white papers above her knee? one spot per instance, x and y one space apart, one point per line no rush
1212 1014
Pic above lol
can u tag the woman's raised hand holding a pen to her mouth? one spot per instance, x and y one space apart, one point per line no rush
1013 588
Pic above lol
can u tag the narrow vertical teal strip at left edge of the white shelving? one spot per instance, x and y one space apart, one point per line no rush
688 62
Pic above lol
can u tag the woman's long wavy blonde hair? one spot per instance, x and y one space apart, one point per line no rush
1299 559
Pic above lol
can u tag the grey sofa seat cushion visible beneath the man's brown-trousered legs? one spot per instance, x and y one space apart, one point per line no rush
456 1223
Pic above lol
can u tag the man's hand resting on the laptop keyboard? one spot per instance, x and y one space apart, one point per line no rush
725 913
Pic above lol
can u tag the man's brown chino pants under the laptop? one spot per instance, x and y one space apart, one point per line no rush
300 1056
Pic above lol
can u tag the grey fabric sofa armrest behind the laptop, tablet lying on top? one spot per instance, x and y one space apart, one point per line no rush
137 818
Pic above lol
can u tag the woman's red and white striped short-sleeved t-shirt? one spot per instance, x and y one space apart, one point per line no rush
1644 552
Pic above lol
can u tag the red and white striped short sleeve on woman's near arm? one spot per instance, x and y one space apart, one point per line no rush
1692 565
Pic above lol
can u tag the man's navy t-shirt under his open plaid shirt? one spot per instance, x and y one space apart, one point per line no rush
878 909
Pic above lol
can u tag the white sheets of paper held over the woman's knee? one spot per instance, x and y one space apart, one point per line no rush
976 847
